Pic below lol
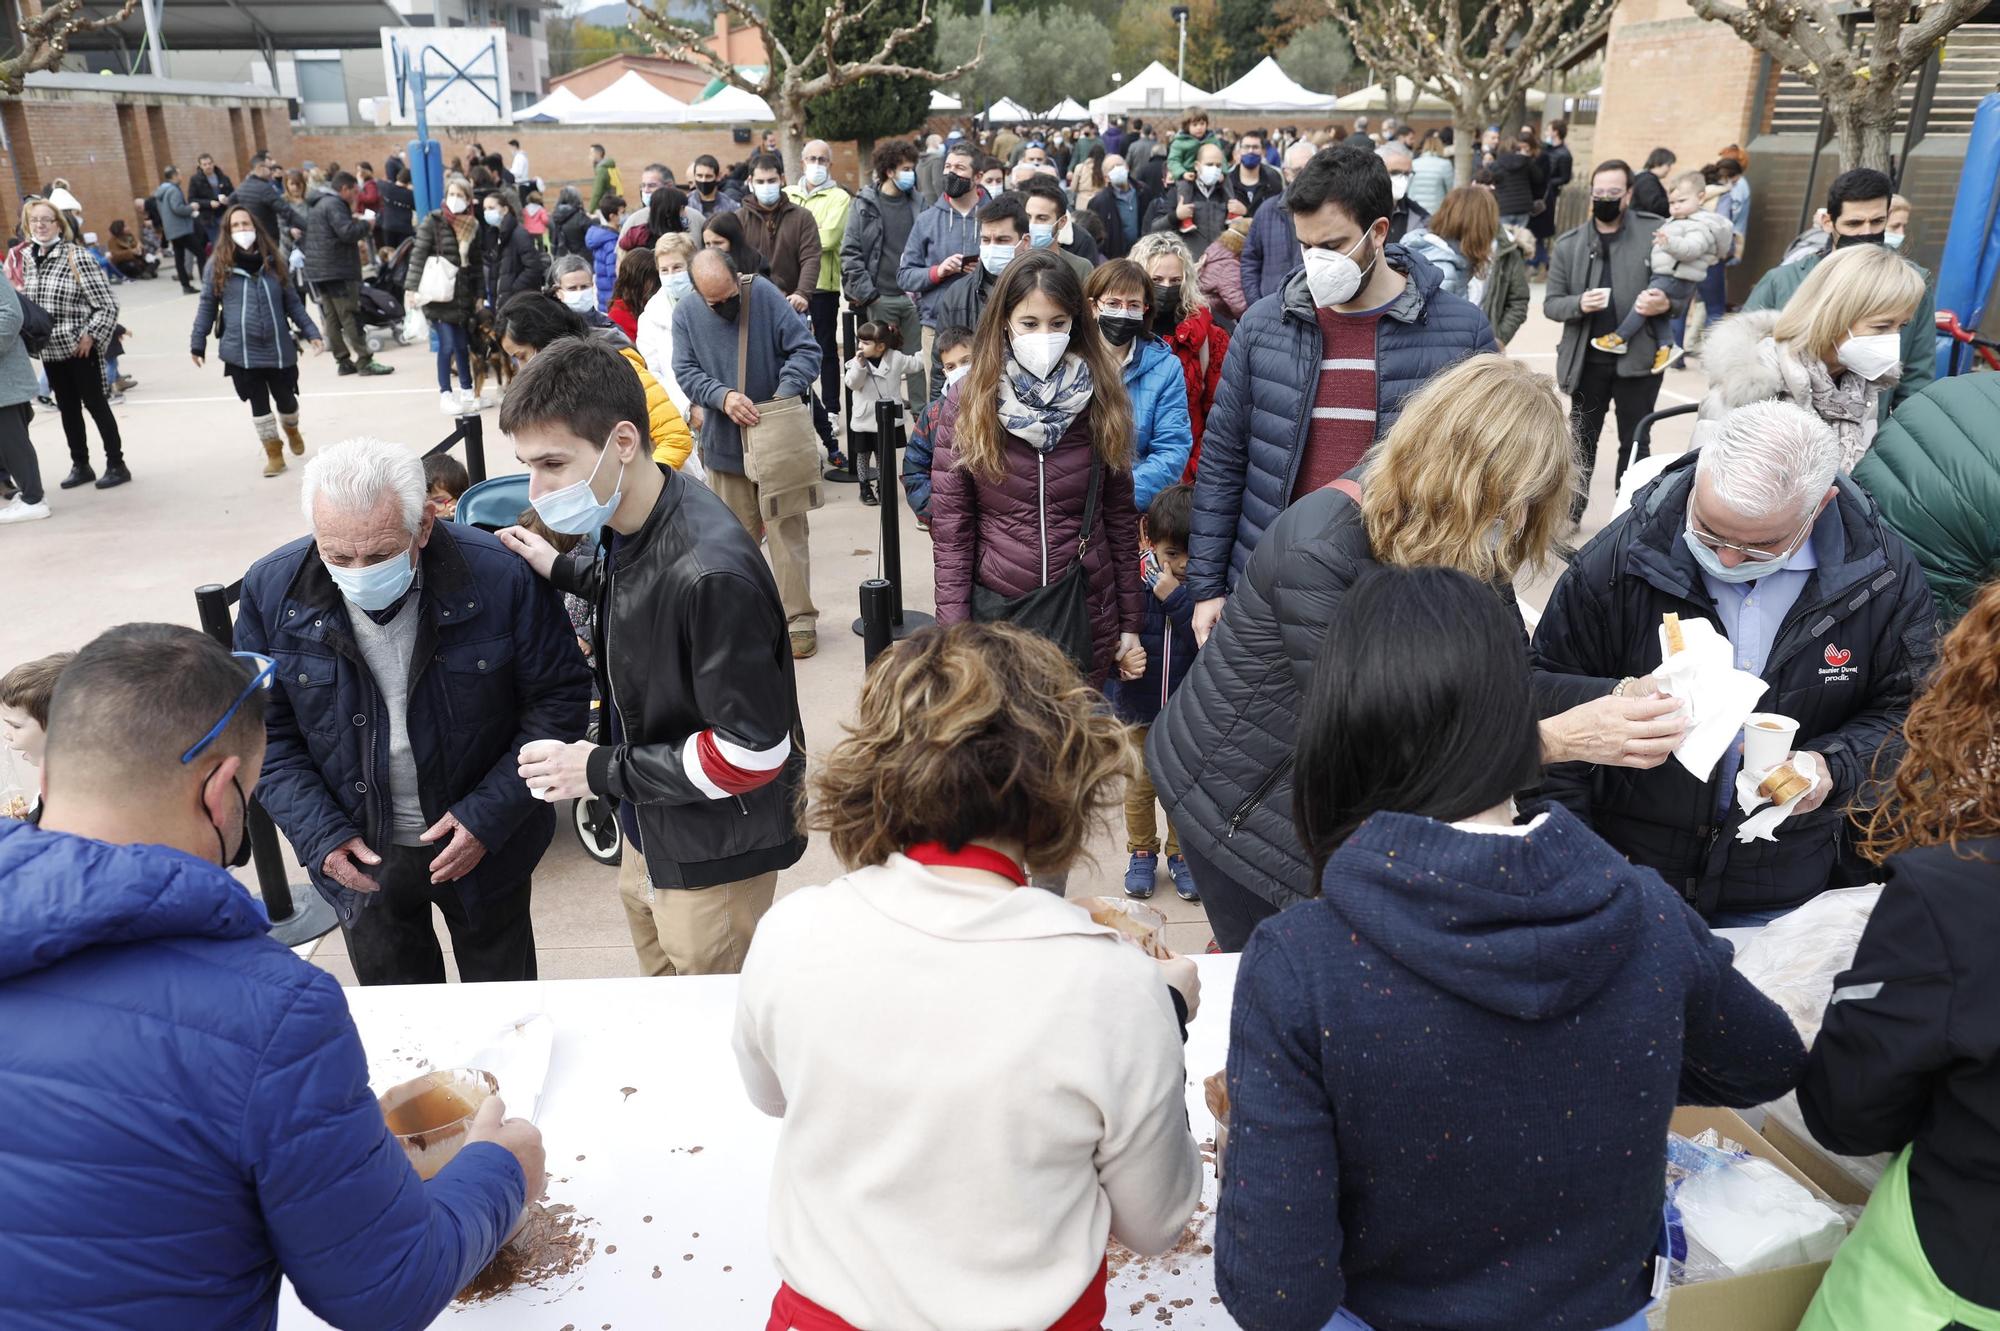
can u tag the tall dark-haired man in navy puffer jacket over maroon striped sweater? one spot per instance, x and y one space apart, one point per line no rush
1293 413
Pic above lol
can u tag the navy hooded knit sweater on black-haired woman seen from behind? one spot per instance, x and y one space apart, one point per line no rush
1451 1080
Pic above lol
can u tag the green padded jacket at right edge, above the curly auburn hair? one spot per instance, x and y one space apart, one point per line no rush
1935 471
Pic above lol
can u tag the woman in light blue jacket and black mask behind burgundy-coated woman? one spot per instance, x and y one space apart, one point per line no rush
1163 435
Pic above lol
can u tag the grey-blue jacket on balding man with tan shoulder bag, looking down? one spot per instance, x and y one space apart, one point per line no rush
785 361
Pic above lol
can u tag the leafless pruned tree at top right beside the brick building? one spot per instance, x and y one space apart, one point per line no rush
1857 75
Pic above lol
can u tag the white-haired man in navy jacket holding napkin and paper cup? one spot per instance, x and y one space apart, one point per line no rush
1791 563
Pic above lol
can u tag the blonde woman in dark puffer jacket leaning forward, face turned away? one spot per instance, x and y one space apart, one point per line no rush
1477 475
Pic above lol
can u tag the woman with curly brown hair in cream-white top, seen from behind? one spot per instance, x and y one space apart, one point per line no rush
967 1162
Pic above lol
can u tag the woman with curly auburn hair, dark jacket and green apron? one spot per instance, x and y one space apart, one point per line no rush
1907 1058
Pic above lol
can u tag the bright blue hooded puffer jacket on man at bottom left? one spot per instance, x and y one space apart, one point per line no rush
195 1118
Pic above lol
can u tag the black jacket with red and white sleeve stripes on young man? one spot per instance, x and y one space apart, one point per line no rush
699 700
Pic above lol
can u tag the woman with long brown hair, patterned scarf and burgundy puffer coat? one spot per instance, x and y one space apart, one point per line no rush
1033 477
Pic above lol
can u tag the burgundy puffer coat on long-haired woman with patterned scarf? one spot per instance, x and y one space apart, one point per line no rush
997 535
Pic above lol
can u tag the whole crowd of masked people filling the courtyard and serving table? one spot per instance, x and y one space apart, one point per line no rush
1231 491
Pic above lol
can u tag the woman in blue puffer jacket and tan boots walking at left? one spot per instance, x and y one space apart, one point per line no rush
253 309
